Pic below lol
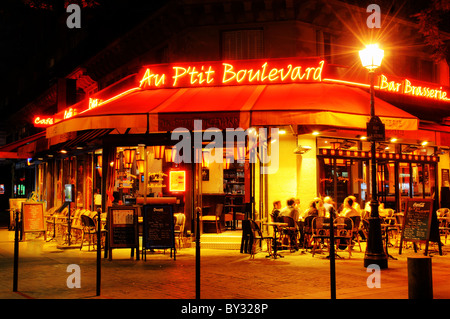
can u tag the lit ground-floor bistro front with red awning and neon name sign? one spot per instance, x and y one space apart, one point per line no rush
148 141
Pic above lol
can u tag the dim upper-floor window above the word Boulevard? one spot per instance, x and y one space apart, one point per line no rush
242 44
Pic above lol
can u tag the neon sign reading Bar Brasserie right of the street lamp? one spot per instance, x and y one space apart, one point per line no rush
405 87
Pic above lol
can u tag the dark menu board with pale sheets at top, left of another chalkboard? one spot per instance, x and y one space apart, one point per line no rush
123 227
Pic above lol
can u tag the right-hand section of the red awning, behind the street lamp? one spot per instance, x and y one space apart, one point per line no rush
325 104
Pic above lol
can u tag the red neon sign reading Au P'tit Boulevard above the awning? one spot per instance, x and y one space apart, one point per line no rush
231 73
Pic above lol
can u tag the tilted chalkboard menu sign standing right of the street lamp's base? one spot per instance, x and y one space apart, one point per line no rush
417 222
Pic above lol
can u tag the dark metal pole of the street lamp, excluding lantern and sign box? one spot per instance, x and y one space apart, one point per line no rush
374 251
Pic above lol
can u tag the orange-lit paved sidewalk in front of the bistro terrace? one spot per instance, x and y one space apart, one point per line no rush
225 274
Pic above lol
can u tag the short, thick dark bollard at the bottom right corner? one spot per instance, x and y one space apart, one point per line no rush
420 281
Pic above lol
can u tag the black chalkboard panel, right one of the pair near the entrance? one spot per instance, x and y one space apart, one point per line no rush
158 227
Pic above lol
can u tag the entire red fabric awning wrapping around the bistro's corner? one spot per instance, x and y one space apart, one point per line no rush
238 106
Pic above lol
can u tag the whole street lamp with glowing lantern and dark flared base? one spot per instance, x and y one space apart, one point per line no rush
371 58
